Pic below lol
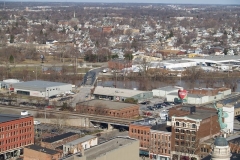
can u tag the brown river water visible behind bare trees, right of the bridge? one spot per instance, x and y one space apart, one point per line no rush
158 84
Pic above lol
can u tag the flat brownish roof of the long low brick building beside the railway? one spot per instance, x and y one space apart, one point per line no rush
107 104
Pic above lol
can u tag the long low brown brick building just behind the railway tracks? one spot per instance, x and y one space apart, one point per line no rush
108 108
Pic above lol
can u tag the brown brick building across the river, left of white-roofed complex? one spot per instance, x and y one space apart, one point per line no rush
119 64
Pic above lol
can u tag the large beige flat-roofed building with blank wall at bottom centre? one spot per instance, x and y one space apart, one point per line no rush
120 148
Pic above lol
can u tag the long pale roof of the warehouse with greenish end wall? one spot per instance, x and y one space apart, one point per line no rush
108 91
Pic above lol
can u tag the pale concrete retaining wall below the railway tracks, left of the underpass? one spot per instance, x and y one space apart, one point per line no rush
79 122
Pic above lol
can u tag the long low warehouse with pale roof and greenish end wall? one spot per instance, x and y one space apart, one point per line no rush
119 94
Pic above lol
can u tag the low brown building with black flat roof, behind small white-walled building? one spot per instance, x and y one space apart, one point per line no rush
59 140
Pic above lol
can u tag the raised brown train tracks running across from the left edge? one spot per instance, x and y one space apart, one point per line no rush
96 118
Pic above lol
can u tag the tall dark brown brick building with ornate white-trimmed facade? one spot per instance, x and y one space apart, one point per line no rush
191 127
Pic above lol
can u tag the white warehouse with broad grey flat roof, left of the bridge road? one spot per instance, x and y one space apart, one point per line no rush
41 88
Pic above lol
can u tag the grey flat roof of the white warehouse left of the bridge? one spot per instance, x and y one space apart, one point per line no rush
37 85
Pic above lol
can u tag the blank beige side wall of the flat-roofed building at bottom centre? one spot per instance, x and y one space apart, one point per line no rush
126 152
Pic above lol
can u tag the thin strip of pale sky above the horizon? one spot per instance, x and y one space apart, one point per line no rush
143 1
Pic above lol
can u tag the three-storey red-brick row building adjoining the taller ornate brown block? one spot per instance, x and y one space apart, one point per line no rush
154 138
